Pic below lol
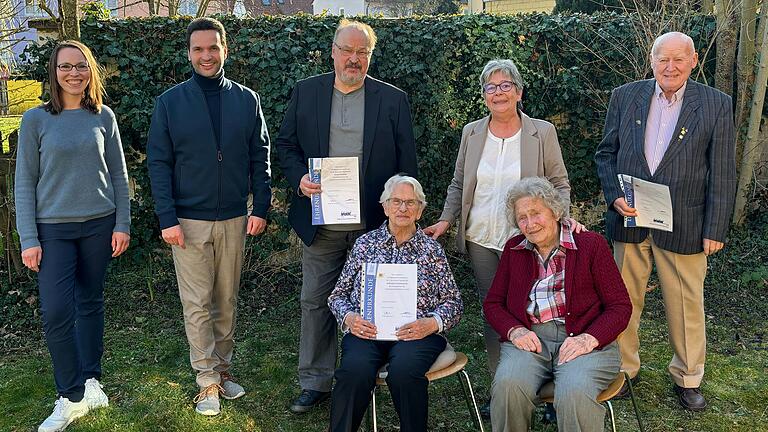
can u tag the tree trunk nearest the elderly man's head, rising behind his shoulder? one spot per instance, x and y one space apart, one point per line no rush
726 45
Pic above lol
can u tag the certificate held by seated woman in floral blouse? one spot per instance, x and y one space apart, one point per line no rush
388 297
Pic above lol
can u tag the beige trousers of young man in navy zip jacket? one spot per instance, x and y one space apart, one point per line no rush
208 275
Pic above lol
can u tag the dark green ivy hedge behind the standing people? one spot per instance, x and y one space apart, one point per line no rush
569 64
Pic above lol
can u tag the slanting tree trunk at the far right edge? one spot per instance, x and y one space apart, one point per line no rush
752 149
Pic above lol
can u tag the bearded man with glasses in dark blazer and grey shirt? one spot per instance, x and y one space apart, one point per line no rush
340 114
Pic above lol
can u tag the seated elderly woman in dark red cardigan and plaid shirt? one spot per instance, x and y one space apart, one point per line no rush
559 303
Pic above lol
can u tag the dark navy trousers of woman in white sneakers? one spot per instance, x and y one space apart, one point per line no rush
71 278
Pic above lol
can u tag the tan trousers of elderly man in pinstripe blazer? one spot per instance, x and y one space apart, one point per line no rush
682 287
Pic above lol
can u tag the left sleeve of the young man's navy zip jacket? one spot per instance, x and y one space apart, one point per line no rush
160 162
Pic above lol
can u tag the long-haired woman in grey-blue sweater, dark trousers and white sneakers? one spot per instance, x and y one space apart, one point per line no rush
73 216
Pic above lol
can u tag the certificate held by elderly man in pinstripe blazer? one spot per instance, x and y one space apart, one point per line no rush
652 201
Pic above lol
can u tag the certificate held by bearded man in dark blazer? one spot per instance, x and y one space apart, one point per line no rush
339 201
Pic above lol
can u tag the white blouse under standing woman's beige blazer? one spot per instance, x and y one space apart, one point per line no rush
499 169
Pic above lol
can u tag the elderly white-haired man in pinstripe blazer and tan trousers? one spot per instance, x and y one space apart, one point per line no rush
674 131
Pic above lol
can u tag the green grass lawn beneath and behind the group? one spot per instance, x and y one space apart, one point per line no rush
151 385
